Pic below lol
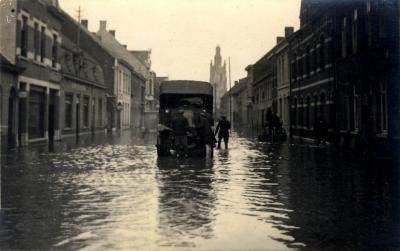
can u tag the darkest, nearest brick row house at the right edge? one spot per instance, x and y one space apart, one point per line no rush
367 73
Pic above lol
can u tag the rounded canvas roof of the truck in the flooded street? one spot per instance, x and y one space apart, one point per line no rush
186 87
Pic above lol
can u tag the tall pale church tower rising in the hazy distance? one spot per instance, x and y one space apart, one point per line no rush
218 80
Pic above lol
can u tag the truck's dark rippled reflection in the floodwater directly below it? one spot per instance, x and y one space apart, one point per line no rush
186 201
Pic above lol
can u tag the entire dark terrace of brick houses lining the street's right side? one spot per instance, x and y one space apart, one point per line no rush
342 66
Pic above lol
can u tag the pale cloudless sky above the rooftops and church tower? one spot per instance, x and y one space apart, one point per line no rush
183 34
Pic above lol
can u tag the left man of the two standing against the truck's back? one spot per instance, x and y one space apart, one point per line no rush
180 125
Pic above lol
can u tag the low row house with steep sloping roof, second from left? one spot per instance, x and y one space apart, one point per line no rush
82 99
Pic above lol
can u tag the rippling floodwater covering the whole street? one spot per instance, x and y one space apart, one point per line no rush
113 193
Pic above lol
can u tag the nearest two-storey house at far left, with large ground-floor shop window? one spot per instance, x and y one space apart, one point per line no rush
31 41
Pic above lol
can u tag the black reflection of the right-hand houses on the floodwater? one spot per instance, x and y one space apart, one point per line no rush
337 203
